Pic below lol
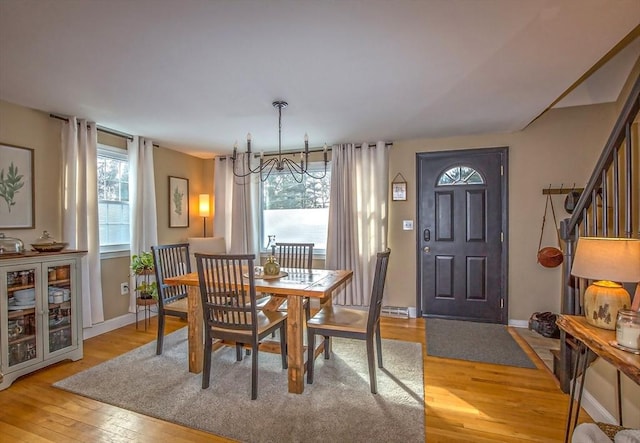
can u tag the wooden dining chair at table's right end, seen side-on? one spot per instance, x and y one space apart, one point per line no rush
336 321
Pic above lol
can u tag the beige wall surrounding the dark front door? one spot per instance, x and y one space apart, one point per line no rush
561 147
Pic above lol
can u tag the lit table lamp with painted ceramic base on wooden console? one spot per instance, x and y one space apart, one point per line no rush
609 262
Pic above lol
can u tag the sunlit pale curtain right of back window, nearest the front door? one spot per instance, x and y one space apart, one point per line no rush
358 216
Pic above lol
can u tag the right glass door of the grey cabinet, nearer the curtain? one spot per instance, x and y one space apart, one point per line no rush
59 290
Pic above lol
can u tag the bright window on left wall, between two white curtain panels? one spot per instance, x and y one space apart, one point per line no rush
113 199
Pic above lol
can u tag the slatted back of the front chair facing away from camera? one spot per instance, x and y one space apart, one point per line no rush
226 302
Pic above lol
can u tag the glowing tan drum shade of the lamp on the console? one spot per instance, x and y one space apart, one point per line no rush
613 259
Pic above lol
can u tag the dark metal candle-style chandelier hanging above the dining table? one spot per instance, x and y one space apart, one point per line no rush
297 170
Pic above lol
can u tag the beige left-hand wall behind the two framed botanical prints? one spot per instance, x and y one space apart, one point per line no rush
26 127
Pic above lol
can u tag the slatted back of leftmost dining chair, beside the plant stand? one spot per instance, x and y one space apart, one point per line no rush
170 261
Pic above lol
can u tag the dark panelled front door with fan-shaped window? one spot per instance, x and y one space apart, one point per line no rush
462 234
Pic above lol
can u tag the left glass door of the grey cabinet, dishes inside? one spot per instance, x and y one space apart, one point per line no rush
21 284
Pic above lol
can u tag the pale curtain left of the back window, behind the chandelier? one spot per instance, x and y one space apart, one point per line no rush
236 198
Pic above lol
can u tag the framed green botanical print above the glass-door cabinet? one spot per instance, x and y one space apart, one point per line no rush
17 204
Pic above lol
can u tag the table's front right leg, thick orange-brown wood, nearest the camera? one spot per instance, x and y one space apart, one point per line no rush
295 347
